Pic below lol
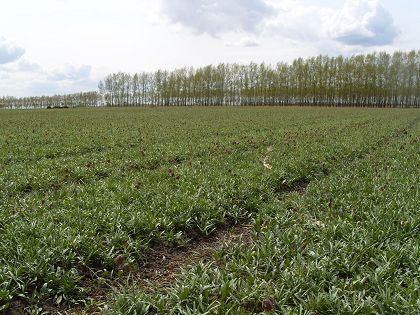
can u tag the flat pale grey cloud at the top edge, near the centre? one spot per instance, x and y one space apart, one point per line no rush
217 17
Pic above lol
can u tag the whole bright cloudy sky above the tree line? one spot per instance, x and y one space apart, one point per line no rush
64 46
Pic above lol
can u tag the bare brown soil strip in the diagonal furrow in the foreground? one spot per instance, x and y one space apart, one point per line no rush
161 266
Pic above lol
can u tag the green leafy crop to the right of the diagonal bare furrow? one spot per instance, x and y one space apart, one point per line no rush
349 245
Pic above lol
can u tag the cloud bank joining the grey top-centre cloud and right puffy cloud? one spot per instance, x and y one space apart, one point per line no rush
358 23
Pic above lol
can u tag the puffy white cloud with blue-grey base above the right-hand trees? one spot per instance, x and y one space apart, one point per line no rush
363 23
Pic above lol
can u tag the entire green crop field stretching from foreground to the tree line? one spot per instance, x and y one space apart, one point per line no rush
331 195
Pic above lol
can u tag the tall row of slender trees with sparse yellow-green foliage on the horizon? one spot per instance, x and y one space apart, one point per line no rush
370 80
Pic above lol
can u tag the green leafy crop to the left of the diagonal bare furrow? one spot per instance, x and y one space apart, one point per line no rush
65 218
